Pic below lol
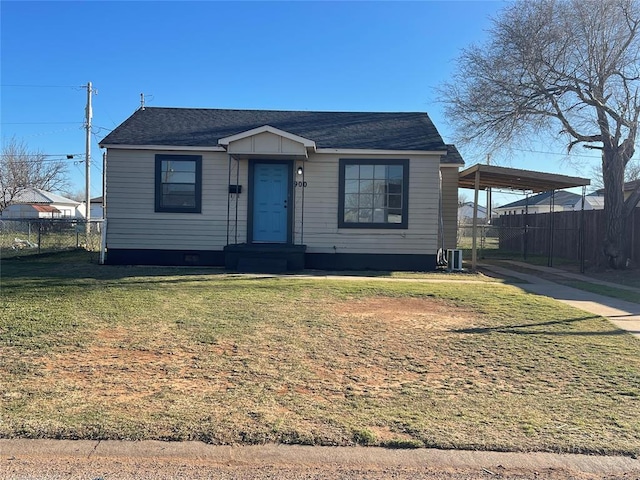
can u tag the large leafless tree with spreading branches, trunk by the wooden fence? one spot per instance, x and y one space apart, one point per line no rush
549 65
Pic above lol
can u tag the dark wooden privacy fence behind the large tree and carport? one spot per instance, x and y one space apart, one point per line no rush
559 235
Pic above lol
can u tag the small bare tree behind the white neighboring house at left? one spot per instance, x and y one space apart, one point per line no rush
21 168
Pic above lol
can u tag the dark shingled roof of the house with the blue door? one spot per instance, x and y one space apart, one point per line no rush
349 130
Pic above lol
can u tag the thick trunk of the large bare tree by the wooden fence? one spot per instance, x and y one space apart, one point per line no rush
615 238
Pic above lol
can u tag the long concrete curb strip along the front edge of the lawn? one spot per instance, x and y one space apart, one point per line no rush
304 456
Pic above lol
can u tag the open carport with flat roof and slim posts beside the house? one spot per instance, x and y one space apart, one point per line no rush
483 177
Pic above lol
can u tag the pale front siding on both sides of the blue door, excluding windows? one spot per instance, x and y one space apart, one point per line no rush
134 224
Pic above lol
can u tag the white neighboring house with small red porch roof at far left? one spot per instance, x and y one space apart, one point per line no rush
37 203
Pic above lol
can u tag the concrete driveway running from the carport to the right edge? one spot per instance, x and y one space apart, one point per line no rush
624 315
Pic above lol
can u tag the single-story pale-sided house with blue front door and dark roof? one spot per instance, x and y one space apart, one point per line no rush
277 190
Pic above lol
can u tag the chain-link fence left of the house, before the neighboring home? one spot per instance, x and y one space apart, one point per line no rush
29 236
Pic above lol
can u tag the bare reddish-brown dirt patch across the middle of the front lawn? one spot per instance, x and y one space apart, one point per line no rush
125 365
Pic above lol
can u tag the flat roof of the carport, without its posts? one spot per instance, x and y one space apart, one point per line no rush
492 176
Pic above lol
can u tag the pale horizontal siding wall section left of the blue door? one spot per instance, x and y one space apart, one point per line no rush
133 222
